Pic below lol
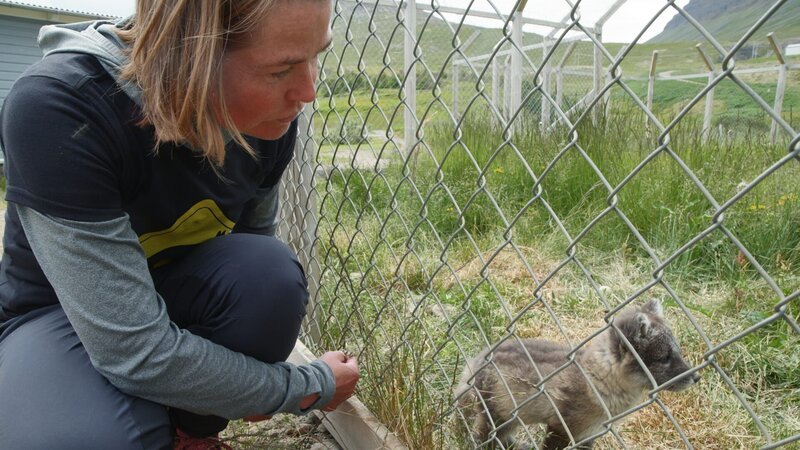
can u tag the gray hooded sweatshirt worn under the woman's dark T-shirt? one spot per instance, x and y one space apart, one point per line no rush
133 343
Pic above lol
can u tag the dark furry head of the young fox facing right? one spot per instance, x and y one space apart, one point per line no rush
647 331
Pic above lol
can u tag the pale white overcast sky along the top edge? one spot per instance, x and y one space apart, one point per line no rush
622 27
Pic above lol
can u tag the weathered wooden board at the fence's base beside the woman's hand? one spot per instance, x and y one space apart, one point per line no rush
352 425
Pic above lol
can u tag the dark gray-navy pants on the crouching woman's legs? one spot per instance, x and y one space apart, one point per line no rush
51 397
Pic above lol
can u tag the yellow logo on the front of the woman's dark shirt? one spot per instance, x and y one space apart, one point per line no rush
201 222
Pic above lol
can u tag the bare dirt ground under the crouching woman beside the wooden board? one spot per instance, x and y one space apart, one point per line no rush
281 432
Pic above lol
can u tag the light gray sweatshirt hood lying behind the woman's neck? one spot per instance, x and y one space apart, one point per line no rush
98 38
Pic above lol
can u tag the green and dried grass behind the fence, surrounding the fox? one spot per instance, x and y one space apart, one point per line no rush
425 262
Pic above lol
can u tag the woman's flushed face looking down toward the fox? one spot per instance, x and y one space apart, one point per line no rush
267 81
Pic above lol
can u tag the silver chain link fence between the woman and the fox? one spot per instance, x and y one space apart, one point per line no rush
468 178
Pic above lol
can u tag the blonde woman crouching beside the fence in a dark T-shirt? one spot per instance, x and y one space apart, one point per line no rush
144 298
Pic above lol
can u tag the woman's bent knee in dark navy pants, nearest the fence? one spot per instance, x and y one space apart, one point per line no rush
246 292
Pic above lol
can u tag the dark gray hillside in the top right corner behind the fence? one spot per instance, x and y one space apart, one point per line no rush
728 20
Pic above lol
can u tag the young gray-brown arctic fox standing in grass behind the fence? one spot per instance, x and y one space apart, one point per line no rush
497 386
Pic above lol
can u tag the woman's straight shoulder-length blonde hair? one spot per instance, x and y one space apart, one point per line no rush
176 50
